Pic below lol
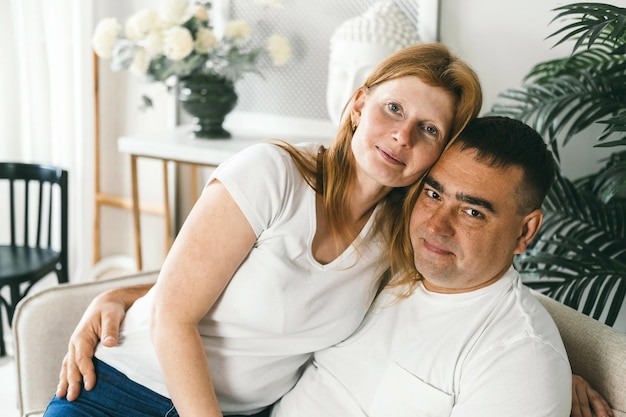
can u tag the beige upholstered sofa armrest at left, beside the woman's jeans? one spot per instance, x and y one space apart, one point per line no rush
42 325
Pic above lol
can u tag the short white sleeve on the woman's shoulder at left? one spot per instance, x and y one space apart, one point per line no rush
261 180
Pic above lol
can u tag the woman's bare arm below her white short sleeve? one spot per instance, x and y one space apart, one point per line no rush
213 242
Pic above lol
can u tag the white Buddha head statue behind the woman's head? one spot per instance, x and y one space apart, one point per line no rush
358 45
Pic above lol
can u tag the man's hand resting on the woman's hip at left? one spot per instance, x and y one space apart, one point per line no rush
100 322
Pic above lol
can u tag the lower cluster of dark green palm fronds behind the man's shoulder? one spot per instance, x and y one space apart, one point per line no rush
579 255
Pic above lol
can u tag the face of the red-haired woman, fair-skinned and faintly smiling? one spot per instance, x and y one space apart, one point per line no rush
403 126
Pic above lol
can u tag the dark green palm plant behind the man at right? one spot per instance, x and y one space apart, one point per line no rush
579 258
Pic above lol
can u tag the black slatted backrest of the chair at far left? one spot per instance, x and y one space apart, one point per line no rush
33 209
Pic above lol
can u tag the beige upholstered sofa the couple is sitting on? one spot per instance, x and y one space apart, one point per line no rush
44 321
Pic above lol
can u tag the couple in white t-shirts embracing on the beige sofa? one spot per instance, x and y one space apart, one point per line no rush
330 282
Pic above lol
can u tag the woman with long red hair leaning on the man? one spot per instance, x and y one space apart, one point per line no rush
278 257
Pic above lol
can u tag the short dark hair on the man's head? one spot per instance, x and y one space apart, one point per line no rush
503 142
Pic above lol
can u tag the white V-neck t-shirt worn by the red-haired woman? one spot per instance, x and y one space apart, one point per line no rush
280 306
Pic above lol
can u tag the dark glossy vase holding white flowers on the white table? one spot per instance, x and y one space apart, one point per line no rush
208 99
